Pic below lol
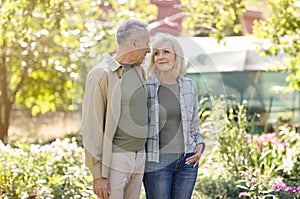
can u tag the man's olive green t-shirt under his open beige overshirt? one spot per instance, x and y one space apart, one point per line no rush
132 129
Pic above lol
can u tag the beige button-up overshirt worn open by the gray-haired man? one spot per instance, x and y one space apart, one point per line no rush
101 108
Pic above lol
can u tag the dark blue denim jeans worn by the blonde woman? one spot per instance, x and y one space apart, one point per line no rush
171 178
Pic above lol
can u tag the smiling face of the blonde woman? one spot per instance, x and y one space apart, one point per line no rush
164 57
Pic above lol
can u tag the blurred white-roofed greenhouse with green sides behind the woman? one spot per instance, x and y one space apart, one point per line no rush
235 70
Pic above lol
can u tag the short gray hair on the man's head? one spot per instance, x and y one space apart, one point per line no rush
131 28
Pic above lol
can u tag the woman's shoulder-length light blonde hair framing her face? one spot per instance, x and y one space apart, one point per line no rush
180 67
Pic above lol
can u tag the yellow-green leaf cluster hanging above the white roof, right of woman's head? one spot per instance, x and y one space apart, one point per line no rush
217 18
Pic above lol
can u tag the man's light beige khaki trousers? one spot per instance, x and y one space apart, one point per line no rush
126 174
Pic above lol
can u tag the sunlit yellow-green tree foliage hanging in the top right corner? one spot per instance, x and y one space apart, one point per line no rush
282 32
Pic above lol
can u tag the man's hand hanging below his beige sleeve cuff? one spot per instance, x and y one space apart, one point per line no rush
101 187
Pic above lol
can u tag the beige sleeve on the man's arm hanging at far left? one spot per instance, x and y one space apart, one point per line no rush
93 119
